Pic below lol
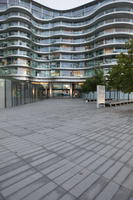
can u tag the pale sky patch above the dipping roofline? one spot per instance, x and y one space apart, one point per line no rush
63 4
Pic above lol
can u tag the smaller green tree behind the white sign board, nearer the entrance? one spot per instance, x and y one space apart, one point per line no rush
91 83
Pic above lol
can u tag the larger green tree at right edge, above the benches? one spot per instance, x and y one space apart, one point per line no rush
121 76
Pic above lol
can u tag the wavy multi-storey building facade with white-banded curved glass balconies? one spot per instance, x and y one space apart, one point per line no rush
60 48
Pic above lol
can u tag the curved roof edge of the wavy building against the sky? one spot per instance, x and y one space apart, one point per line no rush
69 9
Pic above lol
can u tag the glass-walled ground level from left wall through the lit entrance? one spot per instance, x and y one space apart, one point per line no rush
15 92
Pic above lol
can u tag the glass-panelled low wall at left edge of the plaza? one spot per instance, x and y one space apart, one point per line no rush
14 93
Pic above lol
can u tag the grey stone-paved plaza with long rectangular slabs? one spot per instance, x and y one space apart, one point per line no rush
65 149
